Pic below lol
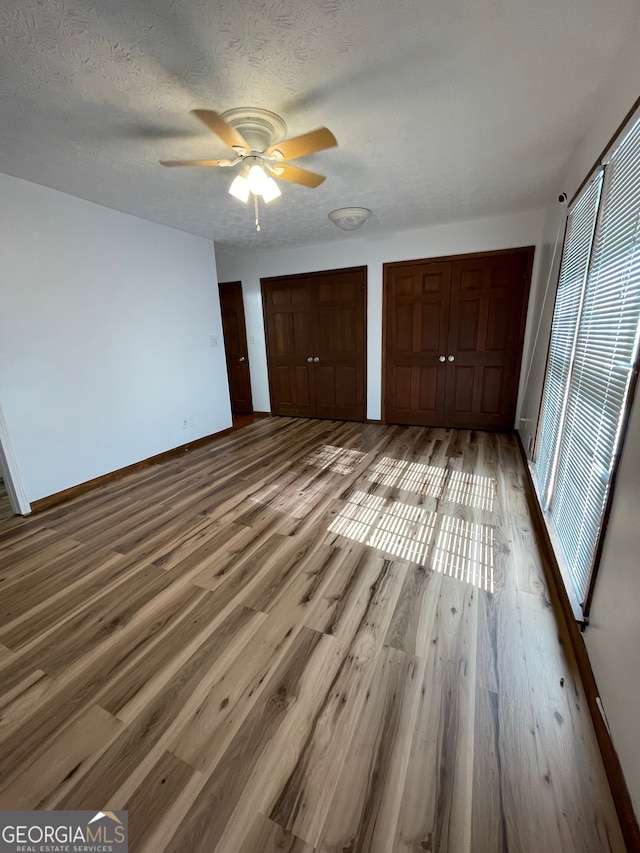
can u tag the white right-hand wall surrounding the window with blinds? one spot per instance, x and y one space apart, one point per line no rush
613 635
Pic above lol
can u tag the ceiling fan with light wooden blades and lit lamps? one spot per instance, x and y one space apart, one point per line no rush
258 139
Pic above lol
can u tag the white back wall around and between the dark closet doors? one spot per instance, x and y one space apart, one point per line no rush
505 232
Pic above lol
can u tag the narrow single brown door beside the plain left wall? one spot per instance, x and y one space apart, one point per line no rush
235 345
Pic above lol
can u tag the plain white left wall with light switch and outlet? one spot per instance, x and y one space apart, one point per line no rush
104 337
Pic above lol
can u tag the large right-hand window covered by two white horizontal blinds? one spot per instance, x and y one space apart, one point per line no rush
592 358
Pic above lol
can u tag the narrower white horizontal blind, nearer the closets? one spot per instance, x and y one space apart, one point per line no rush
573 271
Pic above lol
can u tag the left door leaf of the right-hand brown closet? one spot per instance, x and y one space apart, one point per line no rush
417 317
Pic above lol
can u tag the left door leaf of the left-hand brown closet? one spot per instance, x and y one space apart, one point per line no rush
289 323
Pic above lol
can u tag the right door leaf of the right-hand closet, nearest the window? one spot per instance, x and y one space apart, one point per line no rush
486 327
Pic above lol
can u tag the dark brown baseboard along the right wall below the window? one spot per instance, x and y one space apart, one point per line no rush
613 769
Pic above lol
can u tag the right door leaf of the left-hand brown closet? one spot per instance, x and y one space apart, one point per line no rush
340 344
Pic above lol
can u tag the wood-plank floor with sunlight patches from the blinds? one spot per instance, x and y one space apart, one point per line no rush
308 636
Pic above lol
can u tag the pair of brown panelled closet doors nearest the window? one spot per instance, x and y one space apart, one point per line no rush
454 333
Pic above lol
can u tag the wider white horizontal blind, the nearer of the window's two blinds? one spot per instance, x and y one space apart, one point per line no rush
605 353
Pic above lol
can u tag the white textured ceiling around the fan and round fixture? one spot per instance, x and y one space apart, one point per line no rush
444 110
